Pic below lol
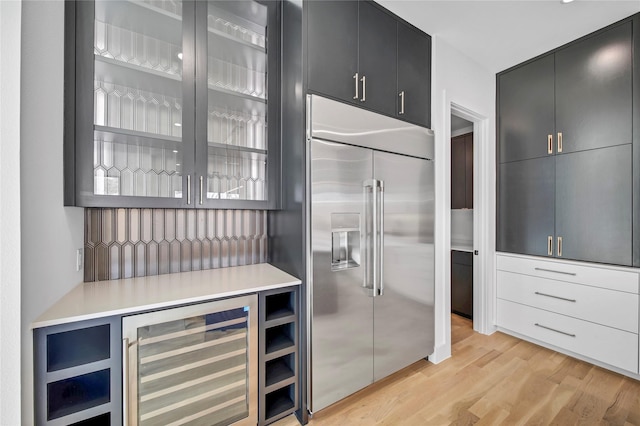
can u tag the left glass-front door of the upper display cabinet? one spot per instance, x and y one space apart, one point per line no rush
140 64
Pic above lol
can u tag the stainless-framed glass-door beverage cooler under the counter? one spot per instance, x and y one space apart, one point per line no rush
193 365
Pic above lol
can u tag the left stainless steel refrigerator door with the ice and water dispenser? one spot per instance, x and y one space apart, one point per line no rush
342 313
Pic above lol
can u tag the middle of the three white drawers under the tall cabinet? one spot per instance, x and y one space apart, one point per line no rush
608 307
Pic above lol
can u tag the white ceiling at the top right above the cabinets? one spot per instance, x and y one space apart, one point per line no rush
500 34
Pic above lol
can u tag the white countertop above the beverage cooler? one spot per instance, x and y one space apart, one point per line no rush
126 296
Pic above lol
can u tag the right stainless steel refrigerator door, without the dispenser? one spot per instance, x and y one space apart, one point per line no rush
404 314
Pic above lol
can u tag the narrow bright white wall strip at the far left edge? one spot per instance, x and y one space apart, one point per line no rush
10 212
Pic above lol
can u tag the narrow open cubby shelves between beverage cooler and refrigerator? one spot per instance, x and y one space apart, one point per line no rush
279 354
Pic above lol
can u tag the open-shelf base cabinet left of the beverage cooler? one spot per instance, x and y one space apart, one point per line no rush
77 372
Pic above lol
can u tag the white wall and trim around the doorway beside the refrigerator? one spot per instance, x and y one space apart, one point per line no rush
458 79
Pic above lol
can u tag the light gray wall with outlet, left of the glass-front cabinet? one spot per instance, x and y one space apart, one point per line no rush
50 232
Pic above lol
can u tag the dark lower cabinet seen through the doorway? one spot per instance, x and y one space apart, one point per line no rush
462 283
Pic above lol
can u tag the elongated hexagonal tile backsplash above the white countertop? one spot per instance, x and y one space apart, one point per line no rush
125 243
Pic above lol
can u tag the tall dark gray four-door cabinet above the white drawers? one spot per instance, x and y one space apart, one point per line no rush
567 181
